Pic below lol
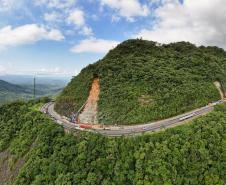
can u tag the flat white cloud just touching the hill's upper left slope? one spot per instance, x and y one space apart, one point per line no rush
94 46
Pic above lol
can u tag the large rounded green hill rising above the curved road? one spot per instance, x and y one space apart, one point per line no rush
141 81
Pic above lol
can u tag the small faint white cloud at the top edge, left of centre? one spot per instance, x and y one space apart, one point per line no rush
58 4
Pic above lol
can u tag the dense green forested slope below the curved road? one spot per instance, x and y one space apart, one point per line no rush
34 150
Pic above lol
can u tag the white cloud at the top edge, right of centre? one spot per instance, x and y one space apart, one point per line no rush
127 8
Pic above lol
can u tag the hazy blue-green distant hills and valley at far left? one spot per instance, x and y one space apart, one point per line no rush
16 87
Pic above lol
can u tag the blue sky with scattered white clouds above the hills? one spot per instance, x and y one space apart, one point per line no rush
60 37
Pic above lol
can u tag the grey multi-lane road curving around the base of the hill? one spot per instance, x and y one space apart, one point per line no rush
130 130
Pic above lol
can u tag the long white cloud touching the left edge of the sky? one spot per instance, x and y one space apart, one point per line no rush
27 34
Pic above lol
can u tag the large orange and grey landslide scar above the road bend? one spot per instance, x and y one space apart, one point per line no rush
89 113
